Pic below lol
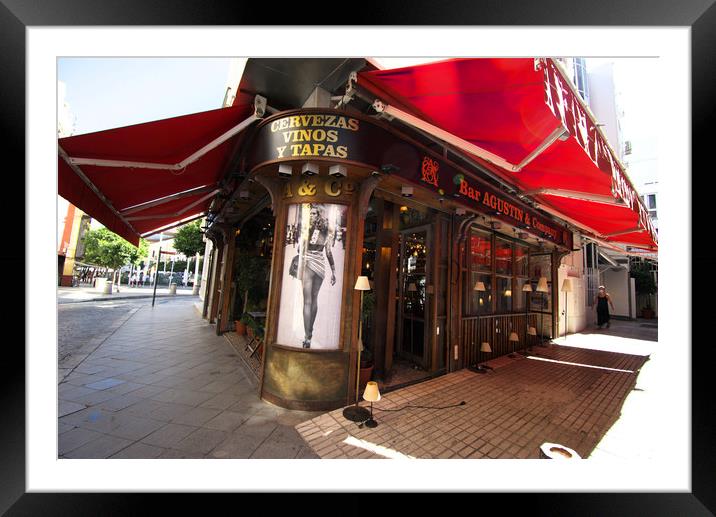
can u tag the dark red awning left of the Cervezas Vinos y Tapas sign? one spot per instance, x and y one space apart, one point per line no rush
146 177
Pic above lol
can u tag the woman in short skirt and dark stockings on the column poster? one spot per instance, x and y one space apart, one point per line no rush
312 271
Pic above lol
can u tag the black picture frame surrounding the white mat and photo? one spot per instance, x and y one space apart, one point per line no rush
17 15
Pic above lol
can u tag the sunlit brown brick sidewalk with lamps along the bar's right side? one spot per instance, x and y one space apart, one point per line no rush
571 395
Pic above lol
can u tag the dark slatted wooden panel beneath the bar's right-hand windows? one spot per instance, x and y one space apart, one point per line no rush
495 330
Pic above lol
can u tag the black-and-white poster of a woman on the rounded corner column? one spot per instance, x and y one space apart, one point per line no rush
312 287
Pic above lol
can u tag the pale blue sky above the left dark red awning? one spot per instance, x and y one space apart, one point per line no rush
104 93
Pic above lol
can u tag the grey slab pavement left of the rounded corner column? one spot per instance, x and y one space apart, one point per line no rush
163 385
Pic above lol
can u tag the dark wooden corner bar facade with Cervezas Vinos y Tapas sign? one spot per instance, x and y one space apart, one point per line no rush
448 253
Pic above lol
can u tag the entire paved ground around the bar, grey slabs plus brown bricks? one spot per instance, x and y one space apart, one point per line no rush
163 385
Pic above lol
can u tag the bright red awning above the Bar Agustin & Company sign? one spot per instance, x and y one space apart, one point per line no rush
521 120
